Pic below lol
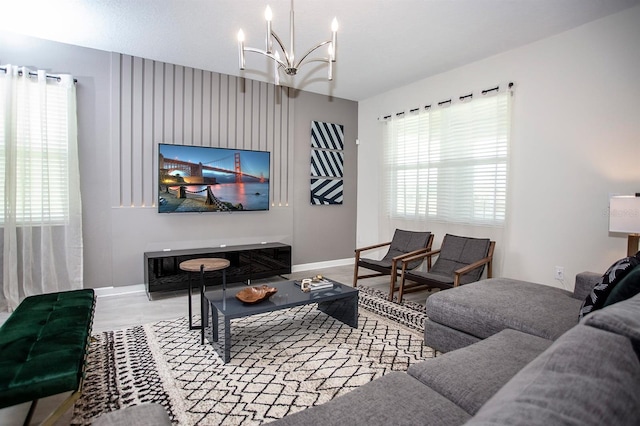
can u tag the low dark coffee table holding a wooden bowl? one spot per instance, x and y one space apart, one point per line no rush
340 302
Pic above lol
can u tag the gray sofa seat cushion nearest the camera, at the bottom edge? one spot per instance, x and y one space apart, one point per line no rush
393 399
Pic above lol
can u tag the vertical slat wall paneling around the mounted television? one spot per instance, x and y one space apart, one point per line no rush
155 102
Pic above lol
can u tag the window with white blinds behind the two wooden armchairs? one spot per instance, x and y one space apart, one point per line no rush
449 164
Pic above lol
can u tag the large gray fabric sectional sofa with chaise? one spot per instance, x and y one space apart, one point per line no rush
516 354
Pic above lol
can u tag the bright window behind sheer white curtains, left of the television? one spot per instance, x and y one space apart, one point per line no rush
34 151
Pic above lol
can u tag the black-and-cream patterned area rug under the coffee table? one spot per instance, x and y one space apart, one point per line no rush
281 362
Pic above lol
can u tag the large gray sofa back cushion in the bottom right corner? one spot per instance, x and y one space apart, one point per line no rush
588 376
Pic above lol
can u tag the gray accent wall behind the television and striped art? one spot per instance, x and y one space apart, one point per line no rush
127 105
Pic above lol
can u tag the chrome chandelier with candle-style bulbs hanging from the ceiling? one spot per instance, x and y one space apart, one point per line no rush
287 62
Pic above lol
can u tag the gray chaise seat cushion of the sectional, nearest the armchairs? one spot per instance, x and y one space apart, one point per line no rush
489 306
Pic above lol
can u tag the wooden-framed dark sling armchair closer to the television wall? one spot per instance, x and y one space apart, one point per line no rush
403 244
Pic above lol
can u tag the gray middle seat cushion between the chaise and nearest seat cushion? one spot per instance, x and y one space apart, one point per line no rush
470 376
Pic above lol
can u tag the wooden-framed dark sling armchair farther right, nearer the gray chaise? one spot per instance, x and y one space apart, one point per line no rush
460 260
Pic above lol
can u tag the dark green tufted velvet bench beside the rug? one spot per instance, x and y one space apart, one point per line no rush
43 346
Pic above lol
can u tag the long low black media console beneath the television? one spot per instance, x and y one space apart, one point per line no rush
162 271
